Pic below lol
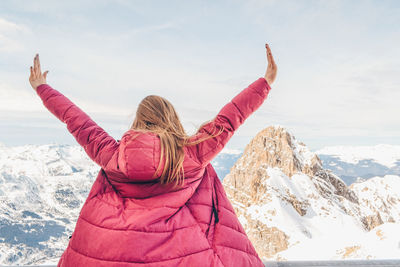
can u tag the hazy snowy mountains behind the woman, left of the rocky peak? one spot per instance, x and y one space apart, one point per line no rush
42 190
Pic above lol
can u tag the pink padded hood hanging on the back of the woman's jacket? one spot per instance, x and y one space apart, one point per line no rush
139 155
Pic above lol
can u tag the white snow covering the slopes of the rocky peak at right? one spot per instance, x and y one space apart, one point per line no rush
326 224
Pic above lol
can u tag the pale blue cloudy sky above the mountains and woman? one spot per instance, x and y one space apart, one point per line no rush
338 65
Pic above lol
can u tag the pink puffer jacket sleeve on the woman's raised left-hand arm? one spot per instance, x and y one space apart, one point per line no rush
98 145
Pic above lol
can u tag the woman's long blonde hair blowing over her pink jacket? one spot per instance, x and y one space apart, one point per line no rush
156 114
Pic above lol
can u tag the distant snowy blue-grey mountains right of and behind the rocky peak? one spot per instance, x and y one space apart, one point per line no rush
358 163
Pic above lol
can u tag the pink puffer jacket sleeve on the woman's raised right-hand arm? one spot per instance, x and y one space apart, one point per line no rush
230 117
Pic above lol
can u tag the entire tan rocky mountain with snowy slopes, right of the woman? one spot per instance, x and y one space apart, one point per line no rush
292 208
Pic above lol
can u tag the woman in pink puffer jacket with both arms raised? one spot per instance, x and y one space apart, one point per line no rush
157 200
